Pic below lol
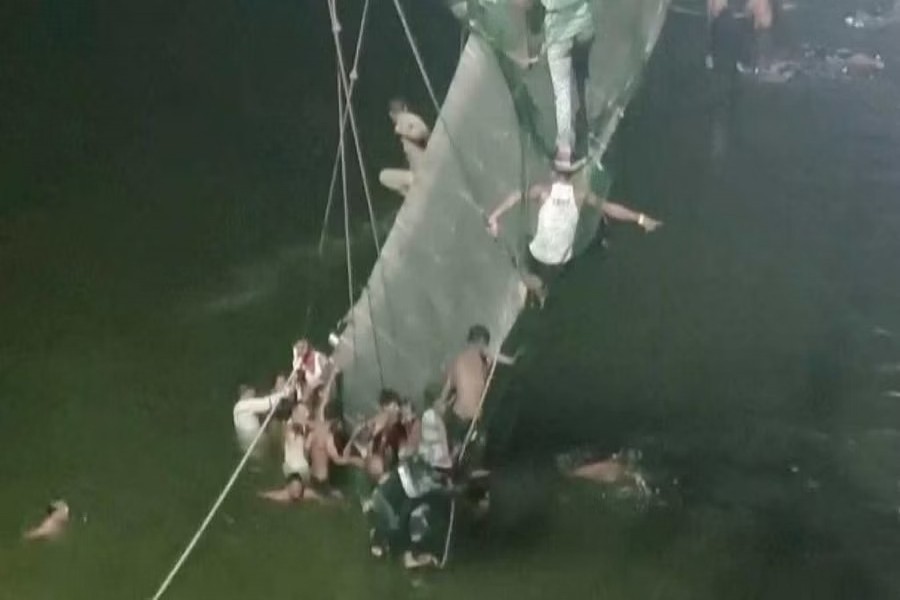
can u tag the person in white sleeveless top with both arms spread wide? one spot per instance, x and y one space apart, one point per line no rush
560 207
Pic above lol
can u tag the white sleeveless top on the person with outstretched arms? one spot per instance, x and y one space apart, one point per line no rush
557 223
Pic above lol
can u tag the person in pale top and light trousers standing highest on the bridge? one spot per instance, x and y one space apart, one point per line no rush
568 33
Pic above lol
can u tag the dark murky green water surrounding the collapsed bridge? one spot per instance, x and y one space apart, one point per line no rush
162 190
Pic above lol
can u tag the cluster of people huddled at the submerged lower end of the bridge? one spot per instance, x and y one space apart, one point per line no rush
405 468
